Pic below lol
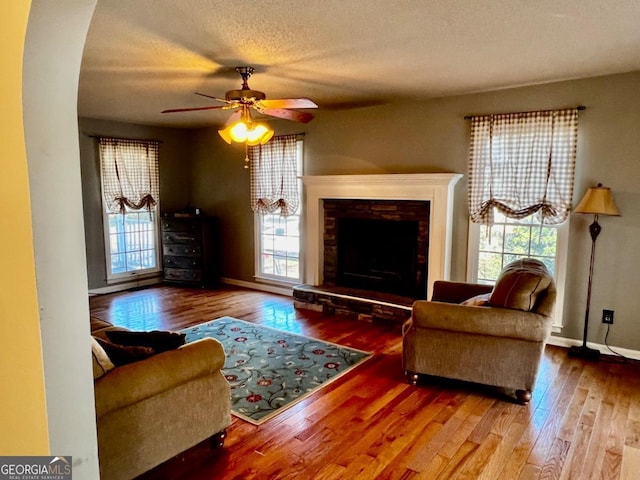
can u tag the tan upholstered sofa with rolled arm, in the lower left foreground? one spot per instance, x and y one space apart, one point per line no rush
150 410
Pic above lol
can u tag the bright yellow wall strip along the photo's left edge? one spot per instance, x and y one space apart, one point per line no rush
23 414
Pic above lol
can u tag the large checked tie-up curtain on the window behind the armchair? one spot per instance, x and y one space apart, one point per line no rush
523 163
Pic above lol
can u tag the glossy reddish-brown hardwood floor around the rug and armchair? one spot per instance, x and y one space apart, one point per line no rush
582 423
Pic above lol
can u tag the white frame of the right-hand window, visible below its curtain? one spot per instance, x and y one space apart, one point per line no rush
562 248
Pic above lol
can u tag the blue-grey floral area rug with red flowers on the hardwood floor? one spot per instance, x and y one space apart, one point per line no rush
270 370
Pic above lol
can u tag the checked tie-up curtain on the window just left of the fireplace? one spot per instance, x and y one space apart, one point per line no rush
274 182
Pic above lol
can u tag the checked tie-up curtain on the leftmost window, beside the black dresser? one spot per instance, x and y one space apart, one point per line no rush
130 173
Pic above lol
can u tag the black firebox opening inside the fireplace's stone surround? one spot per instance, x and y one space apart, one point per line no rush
378 255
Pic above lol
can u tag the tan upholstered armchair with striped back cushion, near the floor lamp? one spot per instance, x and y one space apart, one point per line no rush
492 335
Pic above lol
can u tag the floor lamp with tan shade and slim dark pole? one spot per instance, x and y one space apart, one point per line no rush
597 201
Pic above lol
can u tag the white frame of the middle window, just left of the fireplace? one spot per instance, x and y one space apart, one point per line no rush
277 279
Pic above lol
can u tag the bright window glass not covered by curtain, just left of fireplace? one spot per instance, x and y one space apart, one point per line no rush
278 239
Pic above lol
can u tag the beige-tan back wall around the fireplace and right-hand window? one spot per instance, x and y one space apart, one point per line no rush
432 136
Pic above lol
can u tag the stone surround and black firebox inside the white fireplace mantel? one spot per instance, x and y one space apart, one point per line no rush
377 245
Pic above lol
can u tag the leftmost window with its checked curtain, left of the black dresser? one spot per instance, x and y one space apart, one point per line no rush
130 187
